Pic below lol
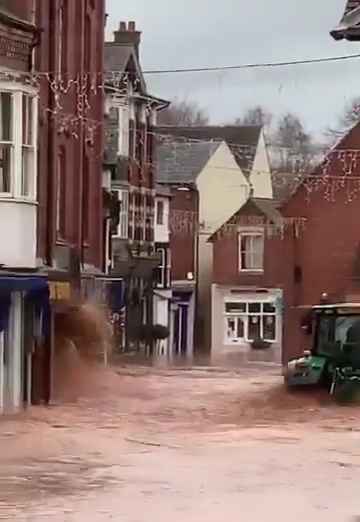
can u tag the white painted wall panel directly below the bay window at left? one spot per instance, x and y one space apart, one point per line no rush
18 220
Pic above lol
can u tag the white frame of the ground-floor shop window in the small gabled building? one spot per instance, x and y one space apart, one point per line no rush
246 316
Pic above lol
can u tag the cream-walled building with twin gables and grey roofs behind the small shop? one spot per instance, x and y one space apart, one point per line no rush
224 164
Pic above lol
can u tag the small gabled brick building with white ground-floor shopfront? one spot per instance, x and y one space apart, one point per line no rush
247 290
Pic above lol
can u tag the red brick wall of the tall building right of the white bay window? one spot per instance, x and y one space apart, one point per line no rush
83 33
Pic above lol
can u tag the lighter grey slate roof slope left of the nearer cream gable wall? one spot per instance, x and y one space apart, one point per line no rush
182 162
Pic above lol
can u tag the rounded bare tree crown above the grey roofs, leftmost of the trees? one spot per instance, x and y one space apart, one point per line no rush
184 113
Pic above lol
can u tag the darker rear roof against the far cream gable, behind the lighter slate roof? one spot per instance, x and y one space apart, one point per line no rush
242 140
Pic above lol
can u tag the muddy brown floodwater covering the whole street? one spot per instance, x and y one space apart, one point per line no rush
204 444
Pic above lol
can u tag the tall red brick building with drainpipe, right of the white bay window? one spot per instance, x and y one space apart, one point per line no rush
69 59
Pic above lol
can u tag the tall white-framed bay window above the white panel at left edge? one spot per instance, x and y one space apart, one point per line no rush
18 125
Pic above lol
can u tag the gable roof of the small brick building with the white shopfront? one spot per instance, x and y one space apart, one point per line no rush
254 207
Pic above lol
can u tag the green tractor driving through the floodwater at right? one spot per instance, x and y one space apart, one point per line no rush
334 360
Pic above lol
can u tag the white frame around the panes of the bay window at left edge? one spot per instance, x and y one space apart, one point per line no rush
17 142
